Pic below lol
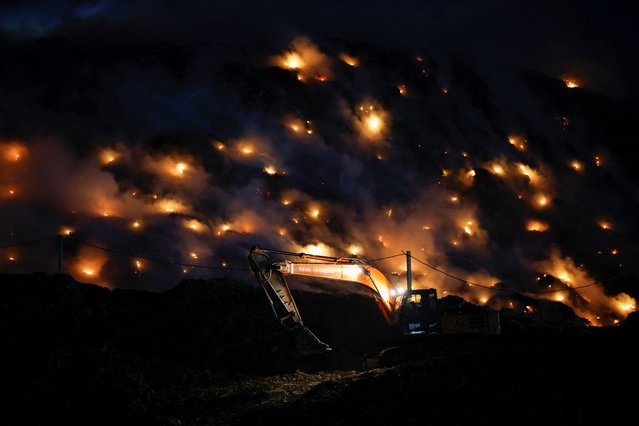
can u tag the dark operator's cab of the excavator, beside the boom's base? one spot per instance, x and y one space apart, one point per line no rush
417 313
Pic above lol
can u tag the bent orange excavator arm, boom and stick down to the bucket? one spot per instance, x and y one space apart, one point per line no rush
270 274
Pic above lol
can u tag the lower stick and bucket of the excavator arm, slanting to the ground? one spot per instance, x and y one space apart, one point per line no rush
283 304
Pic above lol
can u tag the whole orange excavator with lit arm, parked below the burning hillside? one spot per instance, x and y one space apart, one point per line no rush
411 312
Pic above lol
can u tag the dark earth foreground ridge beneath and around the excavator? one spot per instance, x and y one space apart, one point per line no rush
211 353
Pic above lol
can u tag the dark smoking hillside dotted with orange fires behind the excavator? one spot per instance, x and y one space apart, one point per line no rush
173 165
